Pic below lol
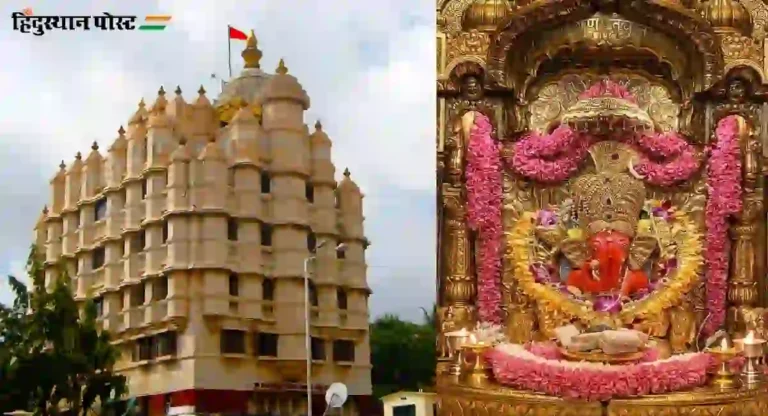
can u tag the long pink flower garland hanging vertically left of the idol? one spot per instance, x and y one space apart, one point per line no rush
483 184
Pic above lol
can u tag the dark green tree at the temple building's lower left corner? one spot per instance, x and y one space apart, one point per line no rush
52 356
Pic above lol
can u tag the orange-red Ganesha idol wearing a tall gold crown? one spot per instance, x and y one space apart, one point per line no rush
609 245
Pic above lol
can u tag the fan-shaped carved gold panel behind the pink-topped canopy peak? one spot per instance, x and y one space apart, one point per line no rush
551 101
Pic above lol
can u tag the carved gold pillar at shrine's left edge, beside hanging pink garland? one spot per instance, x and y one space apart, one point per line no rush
458 283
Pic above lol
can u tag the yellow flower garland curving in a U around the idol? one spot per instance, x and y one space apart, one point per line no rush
689 258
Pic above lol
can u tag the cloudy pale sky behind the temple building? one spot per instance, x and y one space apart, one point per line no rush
368 67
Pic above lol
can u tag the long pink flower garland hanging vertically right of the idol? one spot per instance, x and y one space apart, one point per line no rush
724 186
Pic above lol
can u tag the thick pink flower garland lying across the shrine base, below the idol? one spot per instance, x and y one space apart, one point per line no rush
514 366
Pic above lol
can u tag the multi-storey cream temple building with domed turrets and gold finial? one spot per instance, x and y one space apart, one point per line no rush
192 232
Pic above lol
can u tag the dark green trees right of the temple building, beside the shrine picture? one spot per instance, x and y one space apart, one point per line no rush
402 354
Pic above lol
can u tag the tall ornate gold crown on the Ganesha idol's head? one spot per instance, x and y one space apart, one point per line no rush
608 201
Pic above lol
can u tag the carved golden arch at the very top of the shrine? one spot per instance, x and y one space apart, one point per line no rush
517 35
